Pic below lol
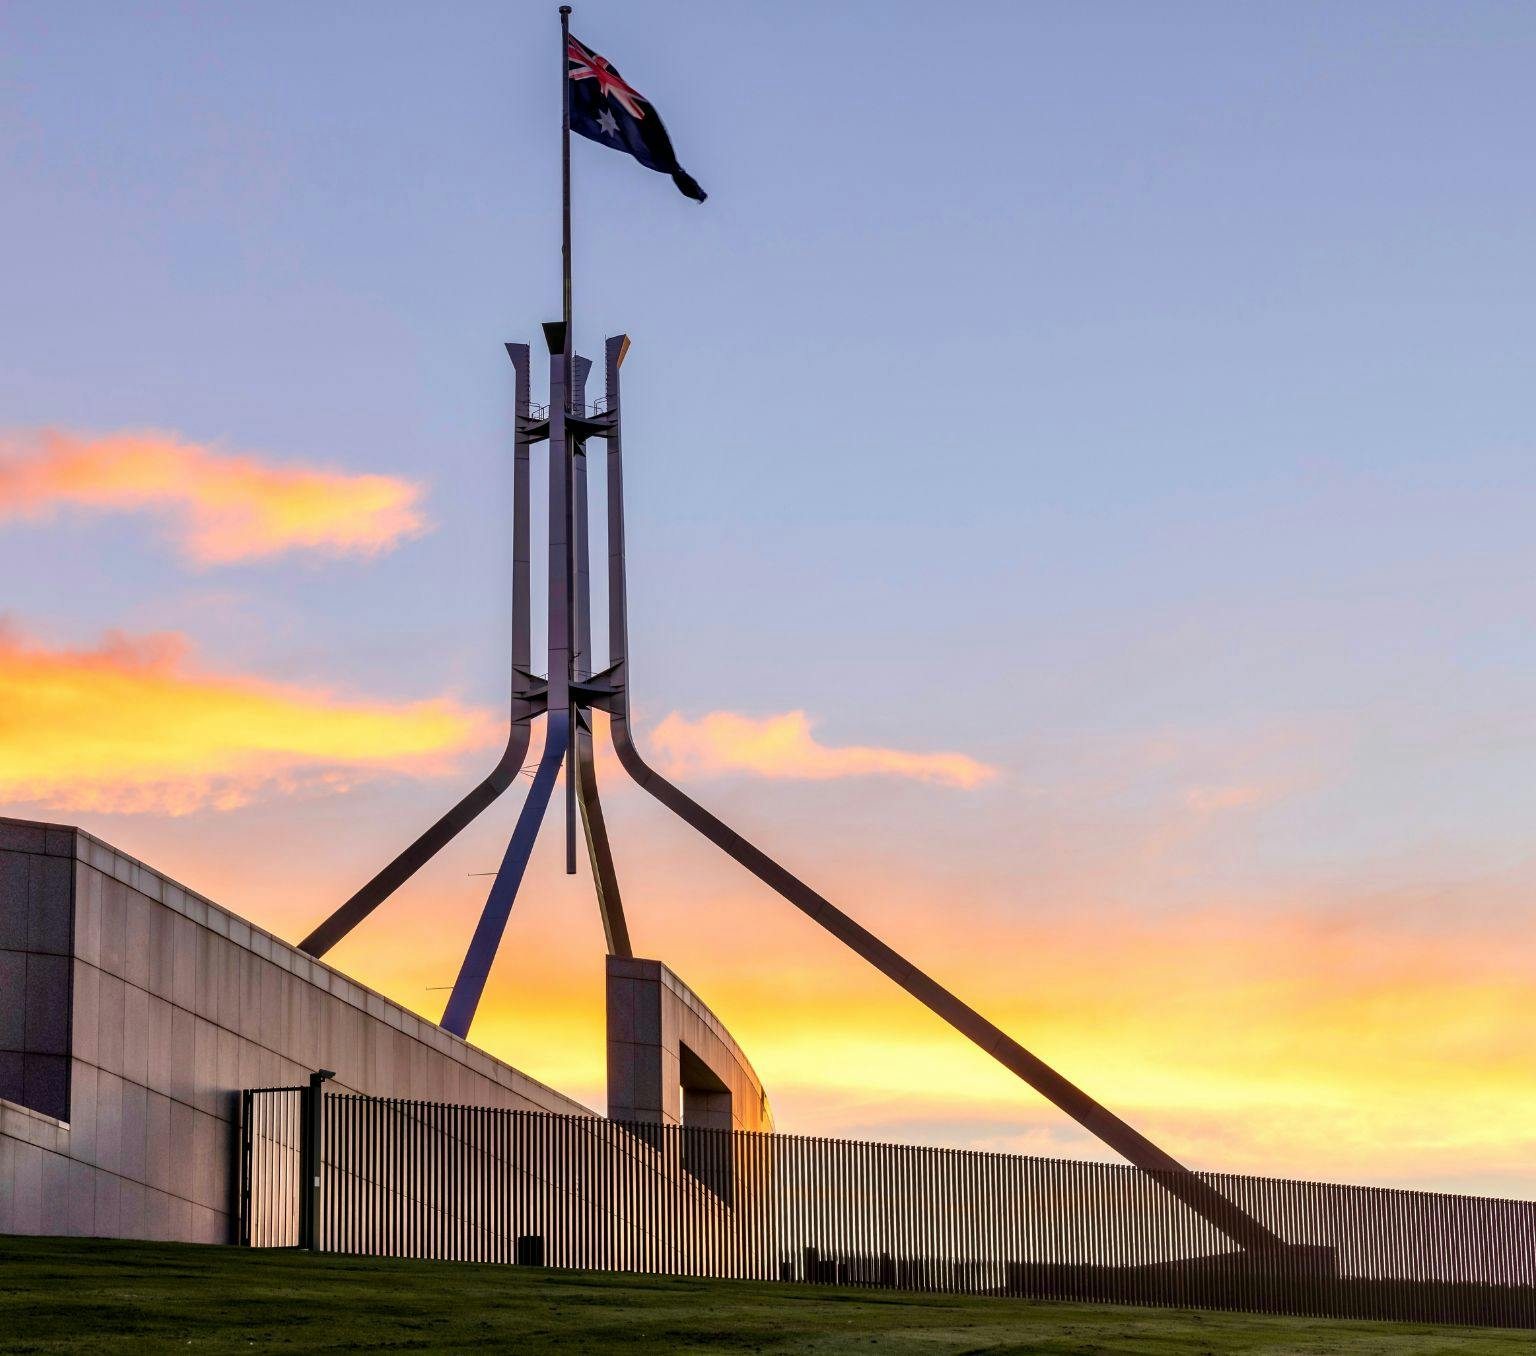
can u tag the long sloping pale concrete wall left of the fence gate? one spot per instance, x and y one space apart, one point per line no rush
134 1011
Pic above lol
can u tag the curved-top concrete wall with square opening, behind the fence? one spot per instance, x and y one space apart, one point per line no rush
672 1060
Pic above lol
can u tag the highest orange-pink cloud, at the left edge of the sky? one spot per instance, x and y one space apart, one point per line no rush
230 508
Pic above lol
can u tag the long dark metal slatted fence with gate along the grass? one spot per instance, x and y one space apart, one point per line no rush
429 1180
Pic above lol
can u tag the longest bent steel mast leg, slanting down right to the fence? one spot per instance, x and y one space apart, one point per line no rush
1099 1120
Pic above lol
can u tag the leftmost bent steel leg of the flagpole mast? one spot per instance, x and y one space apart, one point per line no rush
526 703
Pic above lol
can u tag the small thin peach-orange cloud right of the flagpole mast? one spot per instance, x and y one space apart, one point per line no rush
786 747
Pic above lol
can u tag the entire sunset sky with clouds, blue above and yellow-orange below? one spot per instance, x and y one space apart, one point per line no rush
1081 494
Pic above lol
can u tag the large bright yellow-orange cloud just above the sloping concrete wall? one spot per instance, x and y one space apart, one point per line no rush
134 727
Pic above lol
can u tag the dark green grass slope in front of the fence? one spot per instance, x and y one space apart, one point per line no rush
96 1295
